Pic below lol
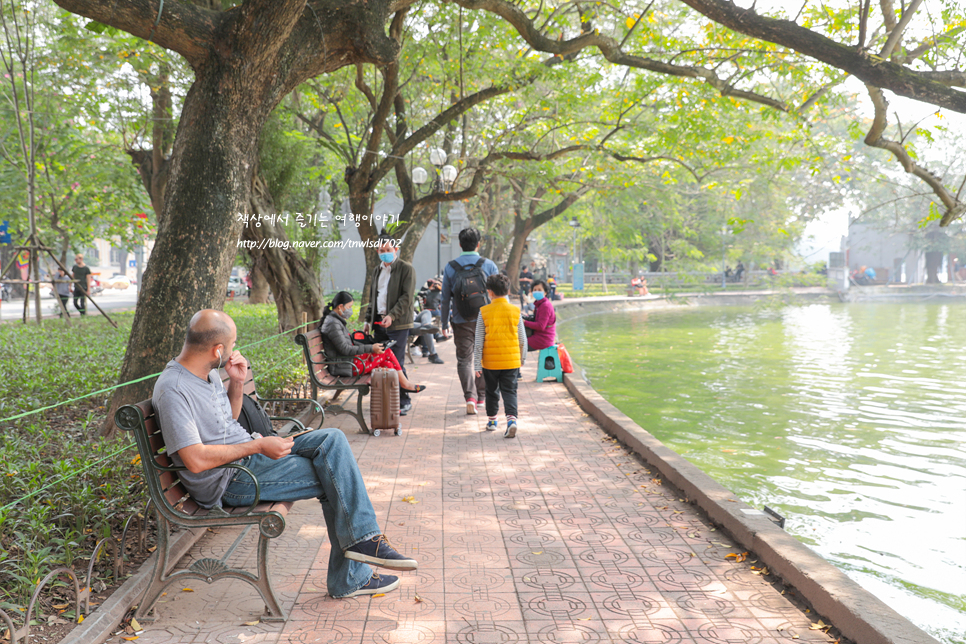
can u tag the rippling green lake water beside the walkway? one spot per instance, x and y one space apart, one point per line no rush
848 419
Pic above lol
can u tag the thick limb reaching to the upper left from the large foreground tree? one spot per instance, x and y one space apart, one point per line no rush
181 27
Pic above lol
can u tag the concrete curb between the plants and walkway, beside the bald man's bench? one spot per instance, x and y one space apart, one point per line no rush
101 624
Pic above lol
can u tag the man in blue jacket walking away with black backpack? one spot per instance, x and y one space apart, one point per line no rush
464 282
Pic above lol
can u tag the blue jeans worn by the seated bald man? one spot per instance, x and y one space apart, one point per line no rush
320 466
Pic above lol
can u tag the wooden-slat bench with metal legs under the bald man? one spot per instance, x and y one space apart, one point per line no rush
175 507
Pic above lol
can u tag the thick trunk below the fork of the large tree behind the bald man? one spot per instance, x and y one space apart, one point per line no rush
208 186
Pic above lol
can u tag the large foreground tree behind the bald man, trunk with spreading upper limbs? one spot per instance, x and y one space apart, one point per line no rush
244 59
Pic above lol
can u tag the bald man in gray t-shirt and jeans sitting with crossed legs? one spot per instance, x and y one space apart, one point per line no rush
198 419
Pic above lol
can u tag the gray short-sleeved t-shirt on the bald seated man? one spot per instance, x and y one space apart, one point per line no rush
191 411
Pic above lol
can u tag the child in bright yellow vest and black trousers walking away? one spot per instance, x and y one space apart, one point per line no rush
500 350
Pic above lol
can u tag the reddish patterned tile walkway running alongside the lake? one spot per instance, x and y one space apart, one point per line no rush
556 536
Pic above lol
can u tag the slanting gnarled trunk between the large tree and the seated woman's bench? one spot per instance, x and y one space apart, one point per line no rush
292 281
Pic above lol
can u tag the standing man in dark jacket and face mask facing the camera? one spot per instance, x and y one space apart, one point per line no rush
391 298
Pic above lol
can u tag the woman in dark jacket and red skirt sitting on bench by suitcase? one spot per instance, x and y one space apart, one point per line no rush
365 357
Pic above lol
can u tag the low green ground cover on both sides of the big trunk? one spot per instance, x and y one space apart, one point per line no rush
42 454
